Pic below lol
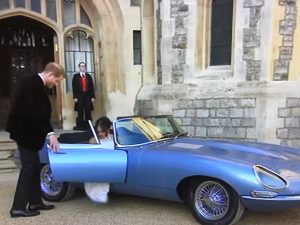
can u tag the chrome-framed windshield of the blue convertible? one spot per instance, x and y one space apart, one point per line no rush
138 130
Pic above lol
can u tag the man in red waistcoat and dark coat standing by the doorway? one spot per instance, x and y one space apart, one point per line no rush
84 96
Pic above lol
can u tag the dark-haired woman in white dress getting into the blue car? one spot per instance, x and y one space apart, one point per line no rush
97 192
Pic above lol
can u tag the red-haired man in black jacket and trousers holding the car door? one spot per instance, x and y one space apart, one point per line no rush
29 125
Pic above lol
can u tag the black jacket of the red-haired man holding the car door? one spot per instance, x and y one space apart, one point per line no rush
29 118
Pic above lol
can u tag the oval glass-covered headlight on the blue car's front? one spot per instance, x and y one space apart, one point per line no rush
269 178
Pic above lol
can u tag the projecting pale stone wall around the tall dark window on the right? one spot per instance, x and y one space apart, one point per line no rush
254 98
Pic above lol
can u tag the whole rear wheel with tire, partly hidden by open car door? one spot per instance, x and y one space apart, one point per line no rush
52 190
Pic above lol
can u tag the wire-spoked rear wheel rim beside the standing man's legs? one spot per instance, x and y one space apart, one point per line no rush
48 185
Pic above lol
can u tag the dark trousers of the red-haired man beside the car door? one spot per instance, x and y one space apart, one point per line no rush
28 186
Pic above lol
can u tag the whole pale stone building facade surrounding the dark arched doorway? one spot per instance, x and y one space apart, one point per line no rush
225 69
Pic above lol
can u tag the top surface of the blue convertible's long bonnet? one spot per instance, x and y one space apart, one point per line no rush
280 159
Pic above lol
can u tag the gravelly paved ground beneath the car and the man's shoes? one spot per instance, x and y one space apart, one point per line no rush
123 210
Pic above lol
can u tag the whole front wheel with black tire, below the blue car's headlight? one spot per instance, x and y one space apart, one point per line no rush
213 202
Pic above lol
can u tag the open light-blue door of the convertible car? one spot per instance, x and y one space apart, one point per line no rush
88 163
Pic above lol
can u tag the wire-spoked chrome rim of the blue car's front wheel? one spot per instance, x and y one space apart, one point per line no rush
211 200
